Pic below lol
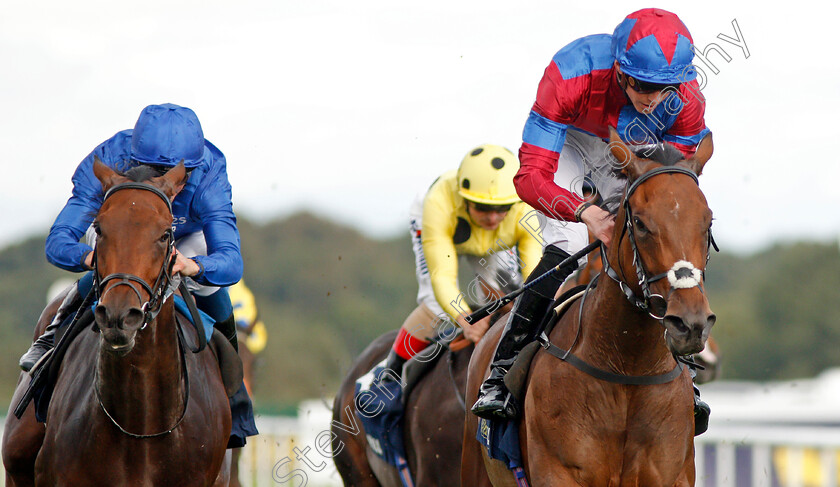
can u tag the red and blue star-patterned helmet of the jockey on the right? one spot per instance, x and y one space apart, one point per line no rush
654 46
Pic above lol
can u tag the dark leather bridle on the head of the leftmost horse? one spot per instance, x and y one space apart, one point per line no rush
152 306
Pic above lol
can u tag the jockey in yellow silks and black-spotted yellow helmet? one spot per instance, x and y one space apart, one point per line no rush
471 216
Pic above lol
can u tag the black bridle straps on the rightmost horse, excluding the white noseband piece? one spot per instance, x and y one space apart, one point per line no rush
648 302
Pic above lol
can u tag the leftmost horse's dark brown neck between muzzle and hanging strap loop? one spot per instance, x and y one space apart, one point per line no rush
144 390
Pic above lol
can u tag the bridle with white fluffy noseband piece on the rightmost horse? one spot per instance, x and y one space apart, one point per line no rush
682 275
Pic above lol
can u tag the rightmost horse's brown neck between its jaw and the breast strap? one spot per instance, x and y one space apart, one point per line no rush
620 336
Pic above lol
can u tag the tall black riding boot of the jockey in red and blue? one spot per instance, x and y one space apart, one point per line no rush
494 400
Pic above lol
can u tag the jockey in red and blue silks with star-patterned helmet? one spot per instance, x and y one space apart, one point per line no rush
639 80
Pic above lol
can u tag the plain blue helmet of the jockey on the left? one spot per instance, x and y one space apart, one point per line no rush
166 134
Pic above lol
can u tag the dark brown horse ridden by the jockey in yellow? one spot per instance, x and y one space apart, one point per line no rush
432 430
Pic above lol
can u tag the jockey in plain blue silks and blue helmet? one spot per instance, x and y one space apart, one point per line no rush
207 239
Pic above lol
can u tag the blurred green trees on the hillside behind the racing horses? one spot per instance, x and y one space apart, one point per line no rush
325 291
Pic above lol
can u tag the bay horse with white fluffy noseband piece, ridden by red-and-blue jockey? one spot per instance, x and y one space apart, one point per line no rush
580 430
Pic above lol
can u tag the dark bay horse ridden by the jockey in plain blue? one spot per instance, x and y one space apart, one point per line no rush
129 407
